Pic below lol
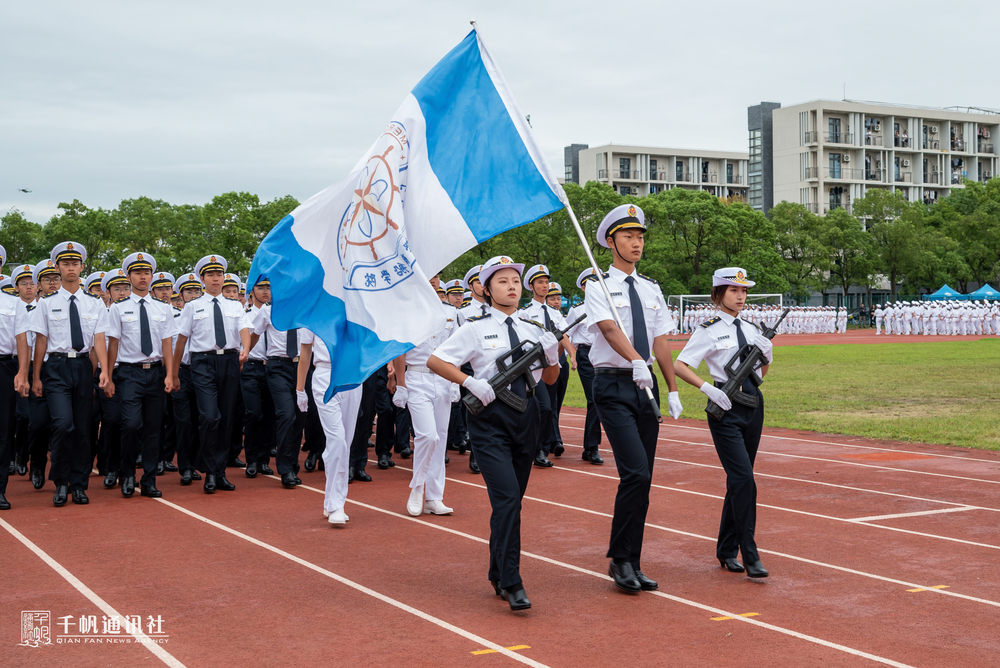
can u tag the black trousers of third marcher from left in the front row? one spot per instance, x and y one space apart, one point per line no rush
141 392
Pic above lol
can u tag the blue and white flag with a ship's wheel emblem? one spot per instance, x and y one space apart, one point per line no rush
456 165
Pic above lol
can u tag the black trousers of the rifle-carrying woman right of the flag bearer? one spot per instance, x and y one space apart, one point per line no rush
736 438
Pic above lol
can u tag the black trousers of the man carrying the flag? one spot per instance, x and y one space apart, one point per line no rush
631 423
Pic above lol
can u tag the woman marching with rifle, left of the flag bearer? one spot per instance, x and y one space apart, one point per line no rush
504 440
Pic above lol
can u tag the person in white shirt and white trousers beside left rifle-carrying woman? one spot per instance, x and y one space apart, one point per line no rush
429 398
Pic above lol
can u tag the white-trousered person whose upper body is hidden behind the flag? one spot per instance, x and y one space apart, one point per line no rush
338 417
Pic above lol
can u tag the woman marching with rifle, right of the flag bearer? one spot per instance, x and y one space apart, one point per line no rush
737 434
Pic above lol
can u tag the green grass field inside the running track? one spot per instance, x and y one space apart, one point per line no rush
946 393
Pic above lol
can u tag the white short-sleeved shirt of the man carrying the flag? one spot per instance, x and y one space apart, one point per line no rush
654 312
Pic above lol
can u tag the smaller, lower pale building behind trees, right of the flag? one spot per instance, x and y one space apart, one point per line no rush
644 170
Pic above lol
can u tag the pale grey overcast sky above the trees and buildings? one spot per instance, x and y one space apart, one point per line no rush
102 100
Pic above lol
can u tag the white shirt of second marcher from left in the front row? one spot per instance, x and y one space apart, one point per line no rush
51 319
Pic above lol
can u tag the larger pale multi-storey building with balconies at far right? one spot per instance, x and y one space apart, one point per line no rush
827 154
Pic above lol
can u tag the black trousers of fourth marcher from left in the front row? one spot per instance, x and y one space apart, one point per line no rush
216 381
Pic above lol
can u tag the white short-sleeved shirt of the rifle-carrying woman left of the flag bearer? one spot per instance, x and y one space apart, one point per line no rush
483 339
